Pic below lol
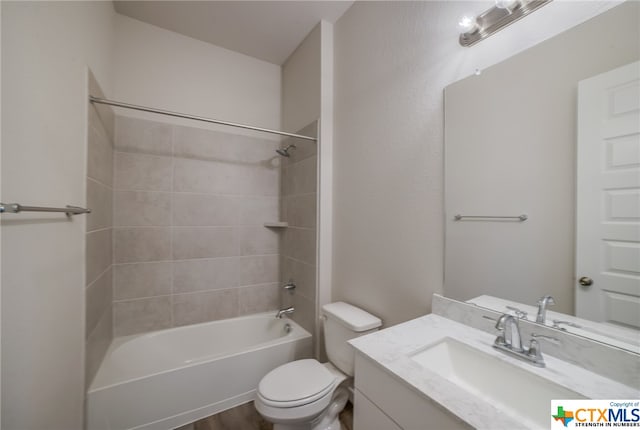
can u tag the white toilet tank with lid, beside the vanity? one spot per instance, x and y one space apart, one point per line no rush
343 322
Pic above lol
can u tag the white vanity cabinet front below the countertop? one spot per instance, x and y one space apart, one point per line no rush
385 403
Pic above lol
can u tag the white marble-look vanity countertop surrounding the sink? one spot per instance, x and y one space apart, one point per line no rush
391 349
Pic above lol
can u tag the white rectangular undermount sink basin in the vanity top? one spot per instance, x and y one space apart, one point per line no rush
509 388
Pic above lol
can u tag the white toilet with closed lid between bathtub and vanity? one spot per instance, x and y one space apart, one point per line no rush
309 395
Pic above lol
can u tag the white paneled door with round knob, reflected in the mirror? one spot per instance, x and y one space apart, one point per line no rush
608 209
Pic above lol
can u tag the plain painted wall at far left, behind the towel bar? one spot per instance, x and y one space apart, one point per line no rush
46 48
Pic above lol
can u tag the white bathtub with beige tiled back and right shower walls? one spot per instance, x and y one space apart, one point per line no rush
204 358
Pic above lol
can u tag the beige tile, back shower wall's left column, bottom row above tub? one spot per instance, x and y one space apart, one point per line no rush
141 315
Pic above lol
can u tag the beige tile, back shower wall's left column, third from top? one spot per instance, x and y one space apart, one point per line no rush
141 208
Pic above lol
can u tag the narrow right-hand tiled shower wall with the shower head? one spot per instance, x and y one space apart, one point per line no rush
298 191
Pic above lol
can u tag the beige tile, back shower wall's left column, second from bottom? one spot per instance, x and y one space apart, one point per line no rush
137 280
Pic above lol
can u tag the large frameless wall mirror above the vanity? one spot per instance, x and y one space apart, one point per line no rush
512 147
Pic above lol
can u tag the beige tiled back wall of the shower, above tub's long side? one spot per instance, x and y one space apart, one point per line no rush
188 238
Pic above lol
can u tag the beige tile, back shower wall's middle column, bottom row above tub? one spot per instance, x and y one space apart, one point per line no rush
193 308
